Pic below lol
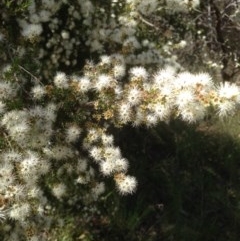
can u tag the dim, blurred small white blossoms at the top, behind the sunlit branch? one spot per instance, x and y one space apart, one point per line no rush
66 32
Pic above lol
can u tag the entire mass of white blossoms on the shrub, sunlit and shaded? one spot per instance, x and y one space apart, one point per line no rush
98 68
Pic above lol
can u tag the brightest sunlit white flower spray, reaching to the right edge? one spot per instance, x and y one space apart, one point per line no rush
149 98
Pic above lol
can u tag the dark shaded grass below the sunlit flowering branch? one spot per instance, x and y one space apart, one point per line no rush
189 185
